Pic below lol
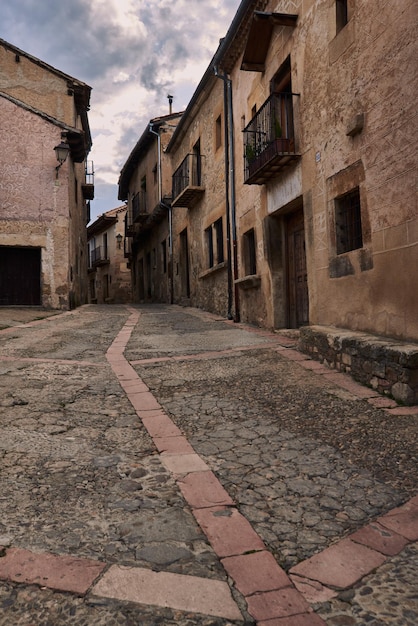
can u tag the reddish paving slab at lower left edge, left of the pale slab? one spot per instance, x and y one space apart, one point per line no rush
64 573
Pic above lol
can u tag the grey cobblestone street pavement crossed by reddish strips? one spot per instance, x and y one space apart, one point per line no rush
306 461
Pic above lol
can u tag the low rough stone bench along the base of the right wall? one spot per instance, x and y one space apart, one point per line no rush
388 366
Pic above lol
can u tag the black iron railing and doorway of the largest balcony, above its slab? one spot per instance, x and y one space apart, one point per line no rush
271 127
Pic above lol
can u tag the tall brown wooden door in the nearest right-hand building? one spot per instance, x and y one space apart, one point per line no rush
298 298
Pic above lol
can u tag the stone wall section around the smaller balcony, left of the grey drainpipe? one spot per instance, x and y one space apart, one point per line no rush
208 286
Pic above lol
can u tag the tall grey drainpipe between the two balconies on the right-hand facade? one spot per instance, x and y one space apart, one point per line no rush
233 294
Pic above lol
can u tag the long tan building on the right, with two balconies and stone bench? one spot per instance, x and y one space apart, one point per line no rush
298 150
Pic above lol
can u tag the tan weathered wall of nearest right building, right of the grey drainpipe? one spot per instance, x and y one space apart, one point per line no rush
355 125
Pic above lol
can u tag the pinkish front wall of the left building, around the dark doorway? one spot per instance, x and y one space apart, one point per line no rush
34 204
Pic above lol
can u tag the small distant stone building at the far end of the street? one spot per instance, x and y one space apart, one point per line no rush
108 272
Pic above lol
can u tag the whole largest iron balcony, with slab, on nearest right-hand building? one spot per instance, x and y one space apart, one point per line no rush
269 140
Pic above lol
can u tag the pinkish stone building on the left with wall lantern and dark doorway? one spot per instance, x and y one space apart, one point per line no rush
44 205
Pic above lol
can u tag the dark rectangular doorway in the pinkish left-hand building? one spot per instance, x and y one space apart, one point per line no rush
20 276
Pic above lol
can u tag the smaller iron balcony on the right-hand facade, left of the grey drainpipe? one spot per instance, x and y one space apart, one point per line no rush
188 181
